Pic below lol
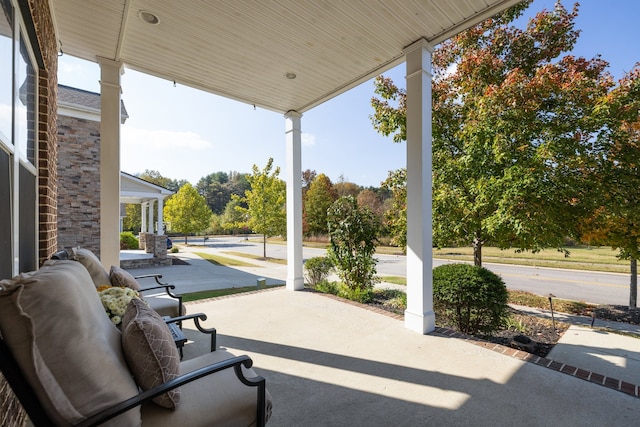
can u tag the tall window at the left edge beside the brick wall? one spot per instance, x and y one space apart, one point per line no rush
18 145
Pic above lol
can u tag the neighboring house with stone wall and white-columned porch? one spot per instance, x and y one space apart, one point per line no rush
79 177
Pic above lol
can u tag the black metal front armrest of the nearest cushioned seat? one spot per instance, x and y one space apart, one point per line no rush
236 363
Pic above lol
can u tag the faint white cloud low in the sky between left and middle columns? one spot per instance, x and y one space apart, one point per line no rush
163 139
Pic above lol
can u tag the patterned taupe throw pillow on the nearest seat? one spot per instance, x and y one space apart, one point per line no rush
150 351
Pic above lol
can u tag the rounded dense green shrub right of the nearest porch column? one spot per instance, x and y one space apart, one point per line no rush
474 298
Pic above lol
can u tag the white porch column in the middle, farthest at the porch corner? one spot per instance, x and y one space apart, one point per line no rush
293 134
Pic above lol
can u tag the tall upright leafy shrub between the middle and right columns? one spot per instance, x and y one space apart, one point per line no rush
353 231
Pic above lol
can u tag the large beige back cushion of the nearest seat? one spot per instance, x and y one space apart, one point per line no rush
65 343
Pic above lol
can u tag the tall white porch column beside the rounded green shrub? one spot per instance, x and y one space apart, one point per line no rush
419 316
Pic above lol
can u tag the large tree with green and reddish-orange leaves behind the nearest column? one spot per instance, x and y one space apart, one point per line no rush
513 124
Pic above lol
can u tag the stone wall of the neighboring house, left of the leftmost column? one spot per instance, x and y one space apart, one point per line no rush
79 183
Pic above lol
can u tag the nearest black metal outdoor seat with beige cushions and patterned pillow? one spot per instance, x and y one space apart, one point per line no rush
69 365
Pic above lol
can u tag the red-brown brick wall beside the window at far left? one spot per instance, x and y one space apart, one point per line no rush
11 412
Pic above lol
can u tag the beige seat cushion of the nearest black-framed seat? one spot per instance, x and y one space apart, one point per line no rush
219 399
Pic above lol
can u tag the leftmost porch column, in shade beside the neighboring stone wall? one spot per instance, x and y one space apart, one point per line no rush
110 91
